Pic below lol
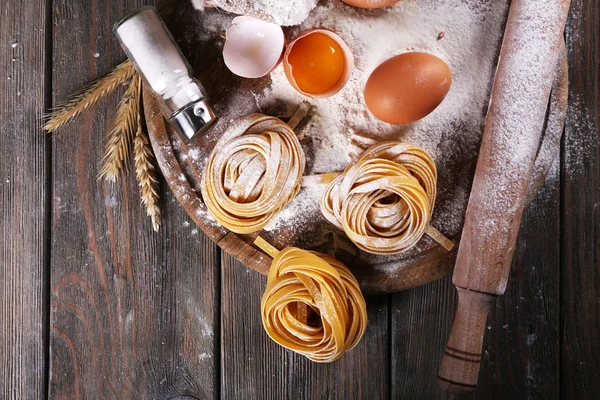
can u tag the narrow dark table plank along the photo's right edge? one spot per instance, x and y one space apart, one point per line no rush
580 272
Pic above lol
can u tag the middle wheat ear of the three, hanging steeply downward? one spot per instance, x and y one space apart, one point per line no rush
120 137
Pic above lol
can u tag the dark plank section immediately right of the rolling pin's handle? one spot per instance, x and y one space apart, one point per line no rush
521 356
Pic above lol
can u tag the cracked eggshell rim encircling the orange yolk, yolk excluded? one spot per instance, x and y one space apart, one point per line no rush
348 64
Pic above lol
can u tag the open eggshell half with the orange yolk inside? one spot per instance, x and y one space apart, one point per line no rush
318 63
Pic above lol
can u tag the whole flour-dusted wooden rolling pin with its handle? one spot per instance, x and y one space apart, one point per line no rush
511 137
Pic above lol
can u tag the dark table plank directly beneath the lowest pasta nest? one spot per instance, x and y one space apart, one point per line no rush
255 367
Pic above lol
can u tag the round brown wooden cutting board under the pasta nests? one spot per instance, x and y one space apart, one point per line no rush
233 97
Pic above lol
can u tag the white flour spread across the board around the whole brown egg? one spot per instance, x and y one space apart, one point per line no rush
465 34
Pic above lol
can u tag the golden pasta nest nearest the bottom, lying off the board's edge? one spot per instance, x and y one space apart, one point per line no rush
313 305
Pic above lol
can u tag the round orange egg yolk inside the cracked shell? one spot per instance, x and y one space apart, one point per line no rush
317 63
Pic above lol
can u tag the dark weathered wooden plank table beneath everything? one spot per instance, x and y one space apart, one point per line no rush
95 305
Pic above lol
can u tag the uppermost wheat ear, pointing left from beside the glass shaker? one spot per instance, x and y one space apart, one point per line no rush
95 92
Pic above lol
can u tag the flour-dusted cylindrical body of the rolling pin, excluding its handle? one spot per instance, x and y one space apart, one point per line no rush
513 127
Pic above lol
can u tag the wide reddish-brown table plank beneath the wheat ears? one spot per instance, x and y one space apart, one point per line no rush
133 312
